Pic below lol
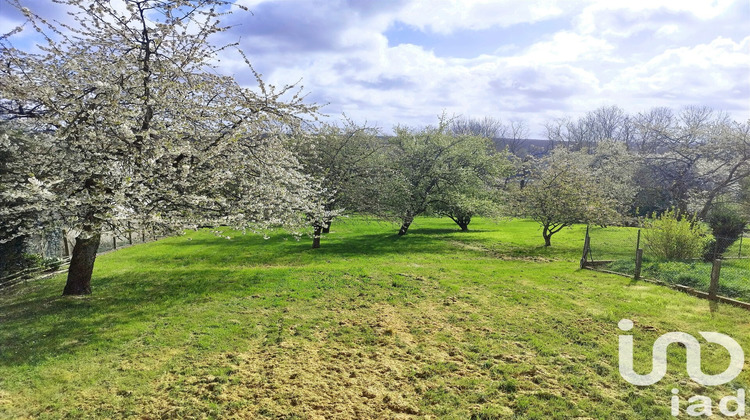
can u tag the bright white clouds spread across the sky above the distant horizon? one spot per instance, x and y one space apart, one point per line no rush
563 73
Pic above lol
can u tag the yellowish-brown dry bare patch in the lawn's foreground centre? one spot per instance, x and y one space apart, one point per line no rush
327 379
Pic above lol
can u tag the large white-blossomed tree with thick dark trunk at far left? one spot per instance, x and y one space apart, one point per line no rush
142 128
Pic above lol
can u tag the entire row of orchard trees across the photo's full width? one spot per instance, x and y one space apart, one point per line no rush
121 119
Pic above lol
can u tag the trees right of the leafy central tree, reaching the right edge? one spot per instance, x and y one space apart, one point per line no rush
610 167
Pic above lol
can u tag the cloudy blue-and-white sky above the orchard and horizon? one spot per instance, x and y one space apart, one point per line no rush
405 61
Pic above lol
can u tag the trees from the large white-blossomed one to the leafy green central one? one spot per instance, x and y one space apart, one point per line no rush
119 119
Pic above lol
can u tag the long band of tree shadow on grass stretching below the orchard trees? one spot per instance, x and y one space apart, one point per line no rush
140 284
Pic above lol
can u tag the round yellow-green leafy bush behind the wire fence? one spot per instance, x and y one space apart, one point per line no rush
672 236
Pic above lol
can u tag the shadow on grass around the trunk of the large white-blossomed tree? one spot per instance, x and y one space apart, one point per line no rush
39 328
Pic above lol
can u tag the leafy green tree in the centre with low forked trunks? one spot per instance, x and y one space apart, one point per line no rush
433 168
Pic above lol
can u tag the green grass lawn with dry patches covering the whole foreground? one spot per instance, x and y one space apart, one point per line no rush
439 323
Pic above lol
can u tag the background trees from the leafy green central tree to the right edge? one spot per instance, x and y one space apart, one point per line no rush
690 161
